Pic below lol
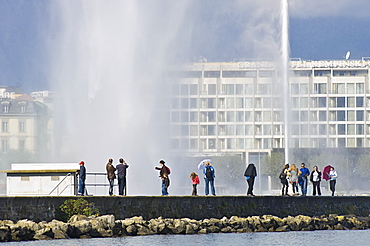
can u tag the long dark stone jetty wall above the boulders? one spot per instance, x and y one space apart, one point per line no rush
201 207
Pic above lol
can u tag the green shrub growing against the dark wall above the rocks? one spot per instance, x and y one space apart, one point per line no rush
78 206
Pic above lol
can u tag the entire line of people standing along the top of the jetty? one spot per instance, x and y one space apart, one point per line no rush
289 175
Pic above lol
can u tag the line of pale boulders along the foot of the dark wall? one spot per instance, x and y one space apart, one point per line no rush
80 226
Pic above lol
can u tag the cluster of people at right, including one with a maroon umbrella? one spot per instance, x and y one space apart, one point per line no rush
300 177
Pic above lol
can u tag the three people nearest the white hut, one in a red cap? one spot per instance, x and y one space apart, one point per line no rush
111 174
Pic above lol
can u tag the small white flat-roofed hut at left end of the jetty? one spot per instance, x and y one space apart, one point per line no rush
42 179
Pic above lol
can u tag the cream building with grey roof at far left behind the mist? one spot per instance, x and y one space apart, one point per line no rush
25 123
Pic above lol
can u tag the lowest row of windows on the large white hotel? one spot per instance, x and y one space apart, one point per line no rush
266 143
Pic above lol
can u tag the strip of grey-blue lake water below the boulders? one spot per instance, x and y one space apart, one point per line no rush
345 237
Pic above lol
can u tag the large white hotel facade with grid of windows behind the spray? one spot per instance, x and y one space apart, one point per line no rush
238 107
